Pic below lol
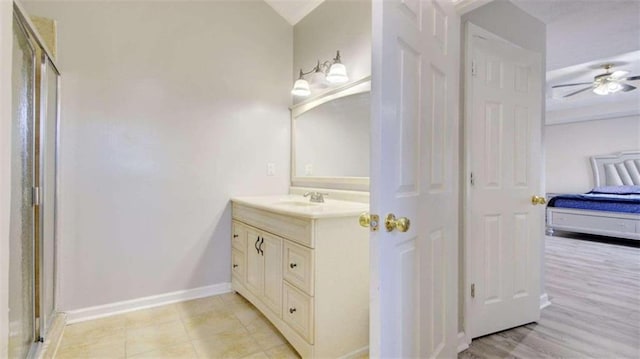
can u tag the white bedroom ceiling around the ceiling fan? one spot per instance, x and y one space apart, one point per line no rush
581 37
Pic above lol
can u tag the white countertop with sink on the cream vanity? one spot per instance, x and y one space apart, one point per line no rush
298 206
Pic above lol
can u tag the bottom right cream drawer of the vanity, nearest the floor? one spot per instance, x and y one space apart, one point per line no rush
297 311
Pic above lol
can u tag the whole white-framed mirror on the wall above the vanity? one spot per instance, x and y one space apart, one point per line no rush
330 138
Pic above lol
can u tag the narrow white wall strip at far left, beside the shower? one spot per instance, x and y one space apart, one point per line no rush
6 47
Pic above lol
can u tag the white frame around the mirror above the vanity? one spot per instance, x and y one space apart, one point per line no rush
341 183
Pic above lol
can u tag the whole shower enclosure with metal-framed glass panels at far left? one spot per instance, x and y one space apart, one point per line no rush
34 138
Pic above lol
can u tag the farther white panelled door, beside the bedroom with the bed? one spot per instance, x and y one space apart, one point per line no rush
505 229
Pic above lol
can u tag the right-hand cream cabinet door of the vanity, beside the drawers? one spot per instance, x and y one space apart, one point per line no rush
272 255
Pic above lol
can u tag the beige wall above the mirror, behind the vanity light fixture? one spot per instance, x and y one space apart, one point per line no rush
335 25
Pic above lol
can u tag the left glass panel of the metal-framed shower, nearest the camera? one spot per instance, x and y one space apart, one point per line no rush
22 234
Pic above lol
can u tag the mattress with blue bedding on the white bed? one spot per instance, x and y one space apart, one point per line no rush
623 199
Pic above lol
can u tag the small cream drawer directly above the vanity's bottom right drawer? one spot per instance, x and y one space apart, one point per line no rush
298 266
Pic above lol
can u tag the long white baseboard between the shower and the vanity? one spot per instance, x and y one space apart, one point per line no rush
106 310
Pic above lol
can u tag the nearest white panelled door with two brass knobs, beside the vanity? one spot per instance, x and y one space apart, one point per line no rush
414 174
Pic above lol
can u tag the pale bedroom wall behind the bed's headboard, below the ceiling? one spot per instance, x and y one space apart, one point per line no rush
570 145
